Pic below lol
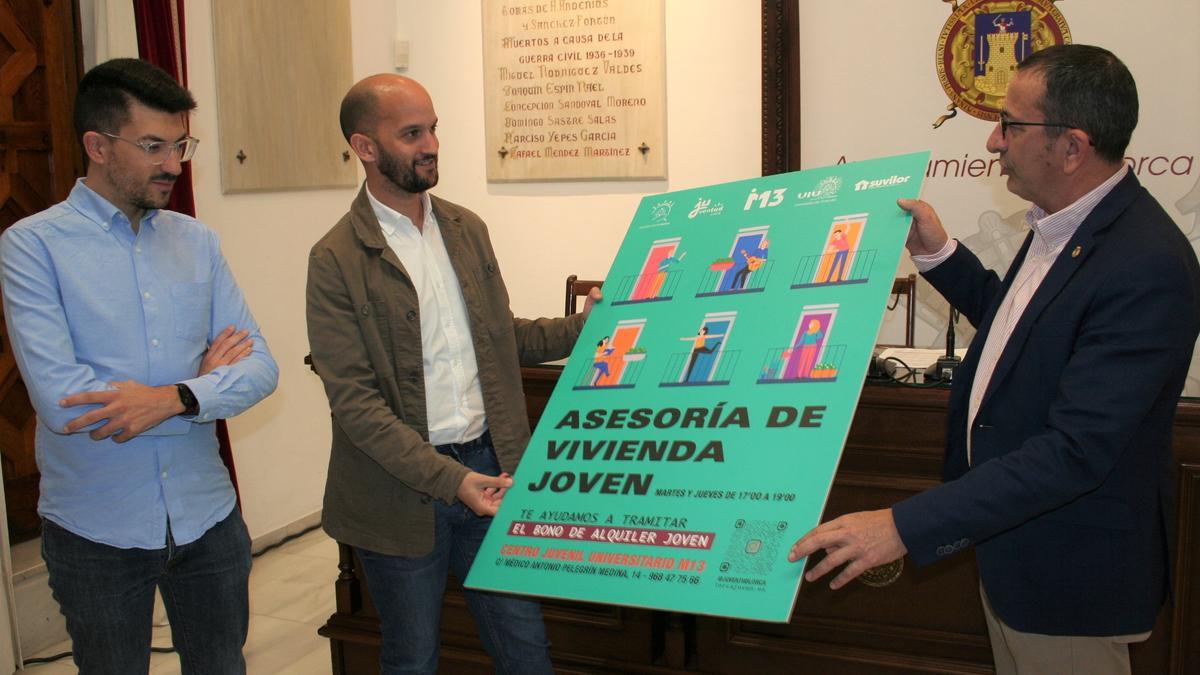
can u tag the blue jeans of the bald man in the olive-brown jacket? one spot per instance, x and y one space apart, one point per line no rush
407 592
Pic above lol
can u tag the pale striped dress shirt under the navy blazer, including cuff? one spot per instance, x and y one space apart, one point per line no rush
1051 235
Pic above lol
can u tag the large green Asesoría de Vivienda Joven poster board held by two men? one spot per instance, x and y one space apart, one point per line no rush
697 429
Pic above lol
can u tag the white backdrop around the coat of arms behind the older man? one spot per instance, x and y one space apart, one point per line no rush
883 100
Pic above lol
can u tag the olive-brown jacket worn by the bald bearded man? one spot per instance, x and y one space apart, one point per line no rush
365 334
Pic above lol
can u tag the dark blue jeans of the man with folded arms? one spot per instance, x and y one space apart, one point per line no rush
107 596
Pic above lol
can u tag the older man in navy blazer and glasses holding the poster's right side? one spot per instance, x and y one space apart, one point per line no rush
1059 457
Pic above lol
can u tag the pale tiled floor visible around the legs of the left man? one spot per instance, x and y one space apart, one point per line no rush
291 596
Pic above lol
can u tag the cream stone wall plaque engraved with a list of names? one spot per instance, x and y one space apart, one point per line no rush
574 89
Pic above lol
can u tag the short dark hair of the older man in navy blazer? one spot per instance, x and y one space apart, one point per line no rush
1088 88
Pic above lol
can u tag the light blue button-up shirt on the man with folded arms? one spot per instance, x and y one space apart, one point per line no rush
88 303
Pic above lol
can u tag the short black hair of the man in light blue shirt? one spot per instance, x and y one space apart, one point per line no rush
103 103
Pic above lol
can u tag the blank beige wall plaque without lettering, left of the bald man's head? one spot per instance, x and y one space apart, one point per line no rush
283 68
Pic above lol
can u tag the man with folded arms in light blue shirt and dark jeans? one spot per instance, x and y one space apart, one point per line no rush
134 338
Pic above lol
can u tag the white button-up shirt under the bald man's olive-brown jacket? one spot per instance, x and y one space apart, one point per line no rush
453 398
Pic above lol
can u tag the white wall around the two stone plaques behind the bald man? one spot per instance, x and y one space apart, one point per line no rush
542 232
